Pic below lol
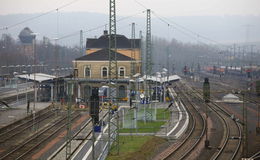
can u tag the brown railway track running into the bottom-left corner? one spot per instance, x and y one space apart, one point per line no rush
24 149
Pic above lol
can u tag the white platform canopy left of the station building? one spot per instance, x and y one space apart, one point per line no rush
39 77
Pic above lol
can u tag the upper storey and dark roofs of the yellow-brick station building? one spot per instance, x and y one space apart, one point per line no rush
95 64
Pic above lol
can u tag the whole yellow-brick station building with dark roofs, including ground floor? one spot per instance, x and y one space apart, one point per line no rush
92 69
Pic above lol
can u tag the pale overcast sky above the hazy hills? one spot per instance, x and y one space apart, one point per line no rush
128 7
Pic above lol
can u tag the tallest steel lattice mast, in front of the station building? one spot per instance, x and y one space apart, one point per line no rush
113 135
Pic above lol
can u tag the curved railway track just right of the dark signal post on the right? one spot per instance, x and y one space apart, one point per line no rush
229 149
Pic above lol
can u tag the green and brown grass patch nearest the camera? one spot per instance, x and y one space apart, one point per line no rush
136 147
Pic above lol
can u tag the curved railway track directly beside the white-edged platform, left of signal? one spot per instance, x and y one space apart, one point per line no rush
194 135
